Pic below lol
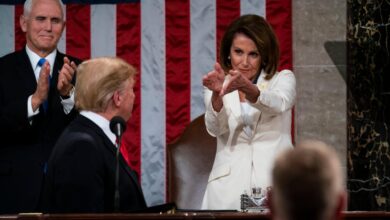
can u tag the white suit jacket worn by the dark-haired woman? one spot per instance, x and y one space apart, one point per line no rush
243 161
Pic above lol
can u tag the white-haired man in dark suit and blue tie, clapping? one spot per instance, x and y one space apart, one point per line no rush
36 104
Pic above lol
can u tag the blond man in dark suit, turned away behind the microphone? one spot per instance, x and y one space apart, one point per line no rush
81 169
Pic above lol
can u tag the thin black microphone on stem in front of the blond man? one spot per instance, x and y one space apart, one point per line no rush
117 126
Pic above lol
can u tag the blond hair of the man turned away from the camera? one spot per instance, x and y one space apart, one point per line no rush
97 80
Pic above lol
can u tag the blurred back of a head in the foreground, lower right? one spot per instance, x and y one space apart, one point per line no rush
308 183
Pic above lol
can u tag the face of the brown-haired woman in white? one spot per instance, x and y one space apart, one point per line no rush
244 56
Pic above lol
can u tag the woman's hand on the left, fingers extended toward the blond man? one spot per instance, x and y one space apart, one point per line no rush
214 79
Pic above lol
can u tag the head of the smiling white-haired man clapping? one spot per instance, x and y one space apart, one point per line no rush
43 26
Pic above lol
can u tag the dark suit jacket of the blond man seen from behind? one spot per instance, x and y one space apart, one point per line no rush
81 173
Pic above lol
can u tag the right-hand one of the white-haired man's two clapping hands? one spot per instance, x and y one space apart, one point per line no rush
65 77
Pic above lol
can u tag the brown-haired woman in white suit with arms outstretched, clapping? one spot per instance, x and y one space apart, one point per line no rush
248 110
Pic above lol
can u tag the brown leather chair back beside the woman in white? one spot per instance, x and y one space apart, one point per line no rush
190 159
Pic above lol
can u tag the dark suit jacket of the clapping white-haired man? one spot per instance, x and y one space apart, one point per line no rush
25 147
